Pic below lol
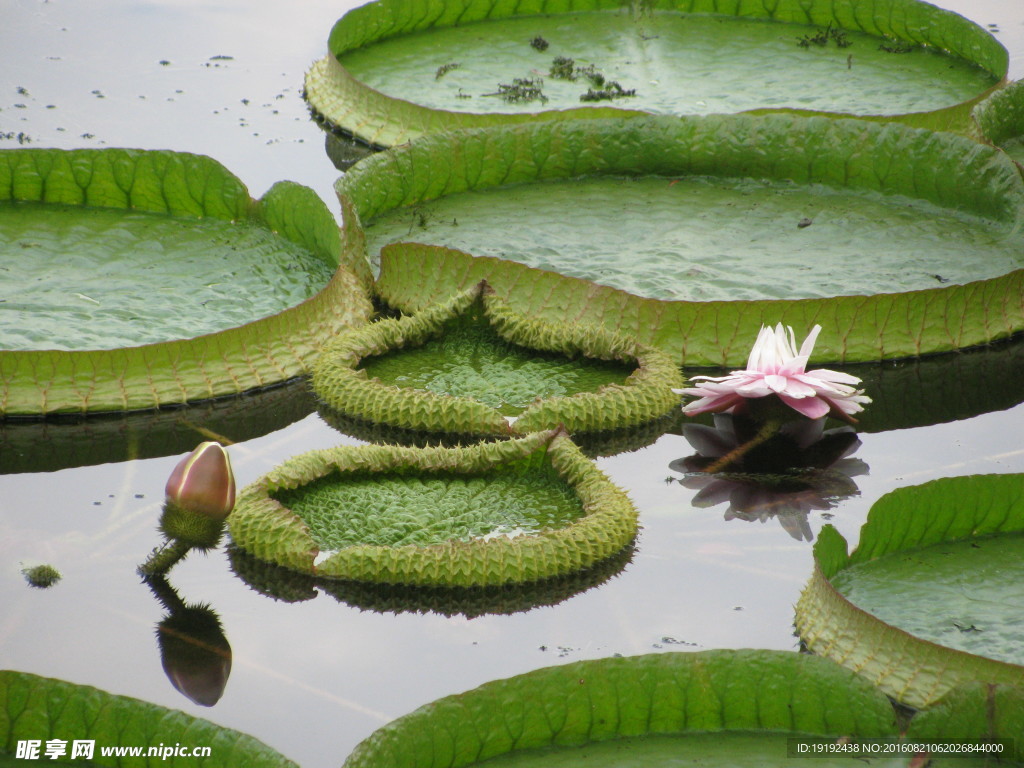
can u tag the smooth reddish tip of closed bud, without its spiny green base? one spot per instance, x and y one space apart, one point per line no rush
203 483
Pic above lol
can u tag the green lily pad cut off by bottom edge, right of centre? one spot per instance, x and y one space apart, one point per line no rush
657 710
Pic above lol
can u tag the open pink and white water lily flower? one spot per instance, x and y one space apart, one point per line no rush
776 368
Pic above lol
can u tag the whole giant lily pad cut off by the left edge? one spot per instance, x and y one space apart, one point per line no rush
141 279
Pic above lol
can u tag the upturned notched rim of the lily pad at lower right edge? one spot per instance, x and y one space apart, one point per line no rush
912 670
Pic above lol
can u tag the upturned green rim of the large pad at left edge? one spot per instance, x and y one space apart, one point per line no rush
265 353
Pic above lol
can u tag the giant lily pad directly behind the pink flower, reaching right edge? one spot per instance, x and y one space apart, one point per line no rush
932 194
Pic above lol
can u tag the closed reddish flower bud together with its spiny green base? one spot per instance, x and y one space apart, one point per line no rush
200 496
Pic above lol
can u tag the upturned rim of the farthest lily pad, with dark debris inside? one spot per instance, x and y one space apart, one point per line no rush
346 106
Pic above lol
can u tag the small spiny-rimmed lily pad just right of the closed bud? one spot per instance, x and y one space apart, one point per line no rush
520 510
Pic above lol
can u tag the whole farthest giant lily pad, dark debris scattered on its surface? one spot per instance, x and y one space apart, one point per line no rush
401 69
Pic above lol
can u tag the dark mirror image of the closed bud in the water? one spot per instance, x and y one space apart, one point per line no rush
195 654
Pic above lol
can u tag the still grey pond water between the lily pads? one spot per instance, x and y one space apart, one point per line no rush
313 677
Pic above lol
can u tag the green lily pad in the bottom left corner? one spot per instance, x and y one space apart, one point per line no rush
41 709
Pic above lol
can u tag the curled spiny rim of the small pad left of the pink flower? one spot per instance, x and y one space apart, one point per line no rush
646 396
